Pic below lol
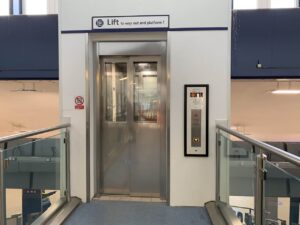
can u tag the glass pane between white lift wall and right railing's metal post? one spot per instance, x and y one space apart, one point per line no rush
237 161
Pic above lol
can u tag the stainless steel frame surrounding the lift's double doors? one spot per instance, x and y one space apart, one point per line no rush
164 90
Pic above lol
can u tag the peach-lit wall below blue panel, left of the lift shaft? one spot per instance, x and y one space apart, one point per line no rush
26 110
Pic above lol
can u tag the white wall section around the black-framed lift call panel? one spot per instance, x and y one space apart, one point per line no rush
203 59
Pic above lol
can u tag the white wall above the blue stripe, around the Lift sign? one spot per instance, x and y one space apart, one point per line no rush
76 15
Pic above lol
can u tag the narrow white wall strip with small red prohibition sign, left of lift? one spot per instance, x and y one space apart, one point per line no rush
72 84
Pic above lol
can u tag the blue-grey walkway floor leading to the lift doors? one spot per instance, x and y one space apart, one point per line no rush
136 213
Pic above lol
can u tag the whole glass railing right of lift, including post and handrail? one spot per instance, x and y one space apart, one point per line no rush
259 181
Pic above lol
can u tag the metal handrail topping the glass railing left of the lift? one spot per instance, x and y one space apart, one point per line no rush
33 133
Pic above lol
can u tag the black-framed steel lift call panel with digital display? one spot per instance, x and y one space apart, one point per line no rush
196 120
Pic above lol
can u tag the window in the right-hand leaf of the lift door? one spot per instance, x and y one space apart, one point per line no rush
146 99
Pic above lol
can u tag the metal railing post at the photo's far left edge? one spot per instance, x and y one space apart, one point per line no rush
2 190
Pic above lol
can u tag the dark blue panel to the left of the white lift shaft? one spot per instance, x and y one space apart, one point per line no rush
29 47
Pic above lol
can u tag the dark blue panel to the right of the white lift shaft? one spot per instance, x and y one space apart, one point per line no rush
270 37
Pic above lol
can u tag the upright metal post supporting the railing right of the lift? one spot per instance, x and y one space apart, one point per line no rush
260 189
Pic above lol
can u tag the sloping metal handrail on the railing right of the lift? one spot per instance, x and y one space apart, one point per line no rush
266 147
